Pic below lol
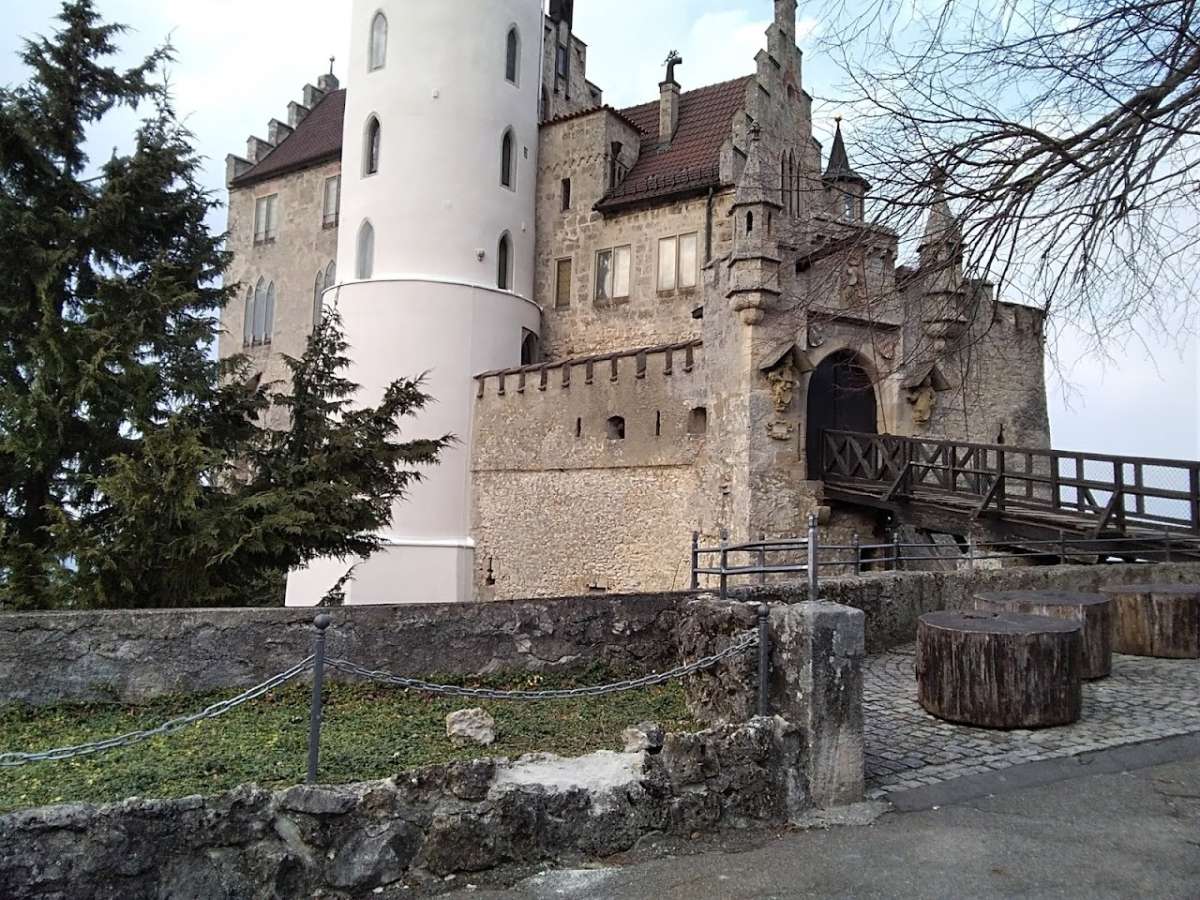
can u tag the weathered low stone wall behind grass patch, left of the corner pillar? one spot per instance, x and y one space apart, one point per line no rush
140 655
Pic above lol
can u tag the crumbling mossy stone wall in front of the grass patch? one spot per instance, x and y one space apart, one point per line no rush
421 826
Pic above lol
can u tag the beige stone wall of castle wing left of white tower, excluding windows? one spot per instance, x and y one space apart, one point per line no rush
304 248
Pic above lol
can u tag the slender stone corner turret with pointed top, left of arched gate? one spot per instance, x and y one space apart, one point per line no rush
754 278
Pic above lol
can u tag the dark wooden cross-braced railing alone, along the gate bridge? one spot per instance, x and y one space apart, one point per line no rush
1119 491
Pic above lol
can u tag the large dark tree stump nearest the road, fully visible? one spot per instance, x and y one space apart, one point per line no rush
1000 670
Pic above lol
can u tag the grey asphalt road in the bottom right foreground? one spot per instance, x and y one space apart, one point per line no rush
1119 824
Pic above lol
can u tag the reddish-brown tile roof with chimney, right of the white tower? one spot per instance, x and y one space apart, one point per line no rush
692 163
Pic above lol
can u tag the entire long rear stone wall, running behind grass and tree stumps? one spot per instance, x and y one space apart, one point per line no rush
135 656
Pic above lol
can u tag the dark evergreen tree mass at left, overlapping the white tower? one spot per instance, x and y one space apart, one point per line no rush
134 467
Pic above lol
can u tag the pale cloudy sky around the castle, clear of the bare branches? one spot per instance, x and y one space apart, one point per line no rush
241 62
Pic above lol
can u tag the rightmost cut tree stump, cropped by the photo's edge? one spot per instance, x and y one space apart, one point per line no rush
1156 620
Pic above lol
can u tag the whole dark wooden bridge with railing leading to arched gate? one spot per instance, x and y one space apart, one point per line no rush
1021 495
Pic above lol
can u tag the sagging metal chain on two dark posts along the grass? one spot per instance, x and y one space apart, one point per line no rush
317 663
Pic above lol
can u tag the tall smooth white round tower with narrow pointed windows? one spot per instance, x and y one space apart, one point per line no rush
436 251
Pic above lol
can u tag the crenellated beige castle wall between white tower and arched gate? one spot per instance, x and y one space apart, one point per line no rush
561 505
